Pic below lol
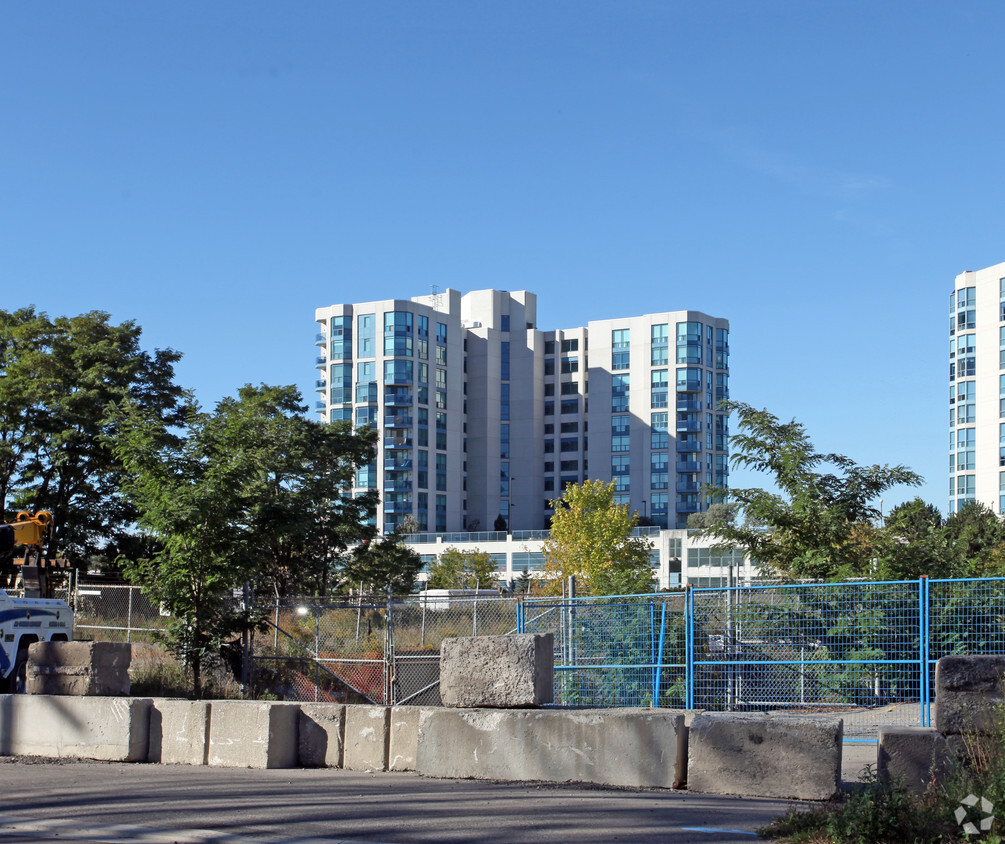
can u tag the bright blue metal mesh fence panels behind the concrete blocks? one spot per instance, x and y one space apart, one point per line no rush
866 652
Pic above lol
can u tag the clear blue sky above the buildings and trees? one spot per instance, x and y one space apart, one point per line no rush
816 172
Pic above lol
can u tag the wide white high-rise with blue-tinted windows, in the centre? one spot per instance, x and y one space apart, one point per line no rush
482 415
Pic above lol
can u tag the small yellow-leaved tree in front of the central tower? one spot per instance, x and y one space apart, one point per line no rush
591 539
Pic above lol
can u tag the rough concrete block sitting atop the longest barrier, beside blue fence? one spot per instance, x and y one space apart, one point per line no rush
505 672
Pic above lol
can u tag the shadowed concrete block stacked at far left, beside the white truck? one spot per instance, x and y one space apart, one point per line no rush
79 669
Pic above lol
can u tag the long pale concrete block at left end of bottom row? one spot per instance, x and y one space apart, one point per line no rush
107 729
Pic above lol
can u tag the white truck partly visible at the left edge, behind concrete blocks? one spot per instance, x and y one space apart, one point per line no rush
24 621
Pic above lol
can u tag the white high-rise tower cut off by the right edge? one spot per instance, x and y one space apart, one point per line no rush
977 389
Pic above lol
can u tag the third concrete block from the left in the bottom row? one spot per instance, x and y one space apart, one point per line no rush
252 734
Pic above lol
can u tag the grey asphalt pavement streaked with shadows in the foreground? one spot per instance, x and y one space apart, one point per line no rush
114 803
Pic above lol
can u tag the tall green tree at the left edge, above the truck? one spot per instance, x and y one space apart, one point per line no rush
61 379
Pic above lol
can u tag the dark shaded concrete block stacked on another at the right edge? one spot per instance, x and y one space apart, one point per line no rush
969 694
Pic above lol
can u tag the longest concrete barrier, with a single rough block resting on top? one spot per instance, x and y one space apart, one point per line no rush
633 748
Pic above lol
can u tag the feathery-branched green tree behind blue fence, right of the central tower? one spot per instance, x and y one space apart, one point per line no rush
820 525
